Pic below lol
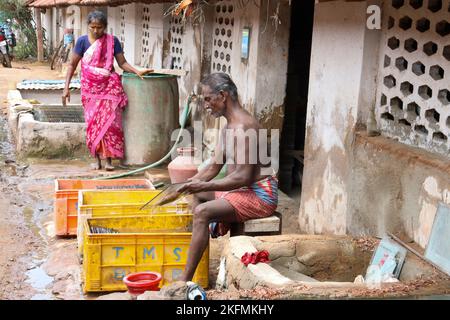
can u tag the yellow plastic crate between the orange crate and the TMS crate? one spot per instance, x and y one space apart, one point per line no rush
97 204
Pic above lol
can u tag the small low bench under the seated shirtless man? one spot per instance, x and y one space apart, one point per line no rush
258 227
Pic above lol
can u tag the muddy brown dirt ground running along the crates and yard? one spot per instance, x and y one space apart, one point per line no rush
34 264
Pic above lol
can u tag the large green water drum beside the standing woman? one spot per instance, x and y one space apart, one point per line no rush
150 116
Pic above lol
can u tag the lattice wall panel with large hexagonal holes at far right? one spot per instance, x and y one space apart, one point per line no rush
412 105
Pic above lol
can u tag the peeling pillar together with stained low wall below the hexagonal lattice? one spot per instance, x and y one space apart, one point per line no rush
354 184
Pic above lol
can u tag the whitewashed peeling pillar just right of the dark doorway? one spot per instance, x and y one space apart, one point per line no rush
337 65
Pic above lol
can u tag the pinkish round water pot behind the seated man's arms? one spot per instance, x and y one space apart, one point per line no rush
182 167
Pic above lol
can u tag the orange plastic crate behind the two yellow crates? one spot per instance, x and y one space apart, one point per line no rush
66 198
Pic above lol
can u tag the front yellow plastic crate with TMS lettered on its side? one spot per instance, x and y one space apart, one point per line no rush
153 243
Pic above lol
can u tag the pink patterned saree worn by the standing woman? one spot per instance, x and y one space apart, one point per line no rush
103 100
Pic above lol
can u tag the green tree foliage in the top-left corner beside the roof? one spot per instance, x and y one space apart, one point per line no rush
22 21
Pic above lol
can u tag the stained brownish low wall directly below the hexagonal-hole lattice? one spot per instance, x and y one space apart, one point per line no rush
395 188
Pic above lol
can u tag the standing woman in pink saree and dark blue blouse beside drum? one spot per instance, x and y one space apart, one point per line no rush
102 94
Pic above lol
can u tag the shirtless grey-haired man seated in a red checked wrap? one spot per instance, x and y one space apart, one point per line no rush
245 192
